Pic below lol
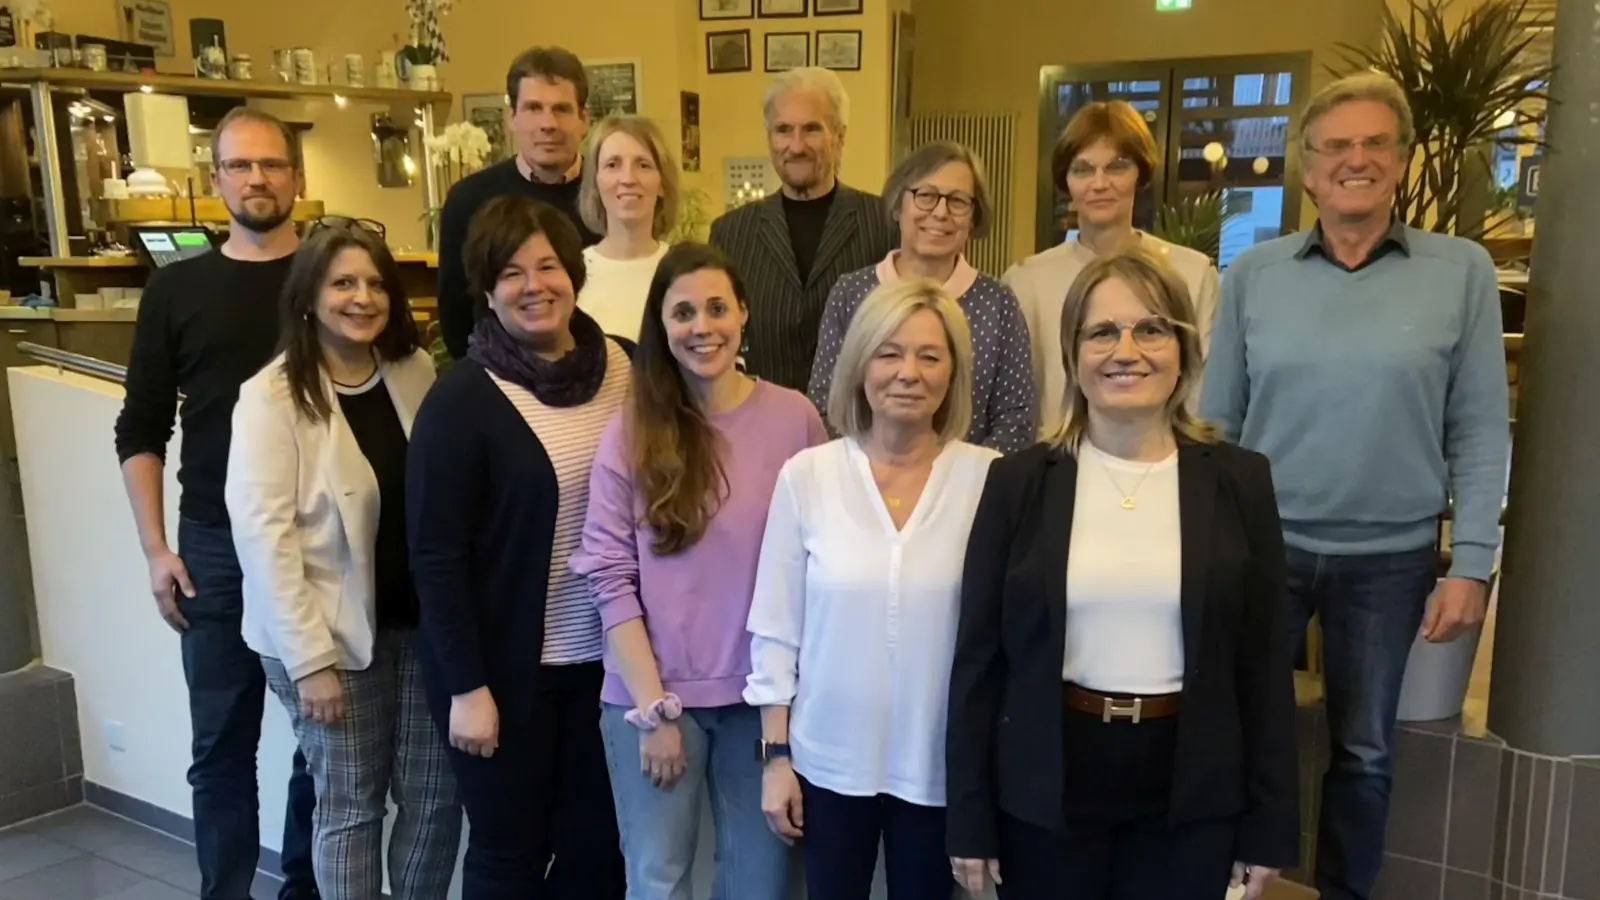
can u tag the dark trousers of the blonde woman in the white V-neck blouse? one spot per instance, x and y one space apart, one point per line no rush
841 846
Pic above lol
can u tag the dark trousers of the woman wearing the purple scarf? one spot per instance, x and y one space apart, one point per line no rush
540 813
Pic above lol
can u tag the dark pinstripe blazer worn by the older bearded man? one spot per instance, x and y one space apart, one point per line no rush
785 311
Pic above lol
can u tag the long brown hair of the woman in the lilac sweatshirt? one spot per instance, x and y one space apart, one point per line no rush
674 446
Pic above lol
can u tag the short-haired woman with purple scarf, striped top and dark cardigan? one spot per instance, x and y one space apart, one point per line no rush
497 489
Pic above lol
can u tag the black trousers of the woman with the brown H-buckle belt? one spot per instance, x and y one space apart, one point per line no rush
1119 843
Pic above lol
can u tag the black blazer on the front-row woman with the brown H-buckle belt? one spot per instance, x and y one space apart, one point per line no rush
1236 737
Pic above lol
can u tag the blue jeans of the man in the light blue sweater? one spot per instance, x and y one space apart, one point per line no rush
1370 611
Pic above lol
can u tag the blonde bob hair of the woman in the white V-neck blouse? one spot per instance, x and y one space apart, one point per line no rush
881 315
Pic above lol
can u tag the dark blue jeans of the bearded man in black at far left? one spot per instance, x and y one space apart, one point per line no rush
228 694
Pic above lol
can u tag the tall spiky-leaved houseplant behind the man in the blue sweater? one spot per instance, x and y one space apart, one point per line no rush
1473 84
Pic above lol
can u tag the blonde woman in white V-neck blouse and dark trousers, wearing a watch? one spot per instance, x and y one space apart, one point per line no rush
858 589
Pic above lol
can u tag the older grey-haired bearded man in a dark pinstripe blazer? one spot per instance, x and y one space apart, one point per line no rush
794 246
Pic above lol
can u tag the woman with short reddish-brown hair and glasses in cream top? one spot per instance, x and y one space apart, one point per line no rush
1103 159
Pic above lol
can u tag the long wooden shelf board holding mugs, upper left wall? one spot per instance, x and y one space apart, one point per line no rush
222 87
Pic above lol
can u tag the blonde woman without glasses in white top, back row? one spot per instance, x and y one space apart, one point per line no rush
631 196
